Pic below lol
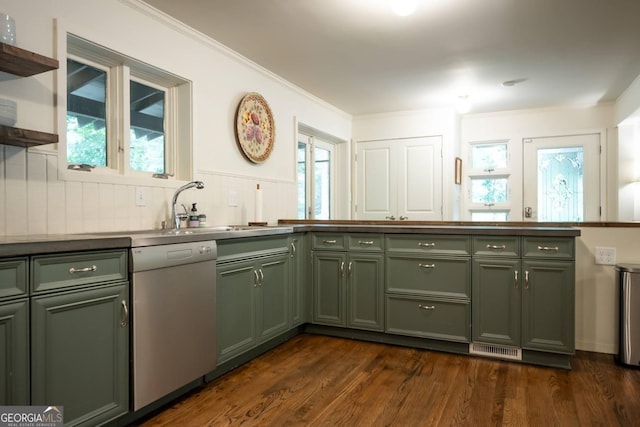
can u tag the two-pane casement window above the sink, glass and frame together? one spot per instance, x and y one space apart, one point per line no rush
124 117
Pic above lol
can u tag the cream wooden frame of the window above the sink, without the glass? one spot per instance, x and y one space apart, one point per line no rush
121 69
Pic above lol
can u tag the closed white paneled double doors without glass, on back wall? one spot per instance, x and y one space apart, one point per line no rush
399 179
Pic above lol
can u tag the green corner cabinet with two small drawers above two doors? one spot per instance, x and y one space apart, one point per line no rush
348 281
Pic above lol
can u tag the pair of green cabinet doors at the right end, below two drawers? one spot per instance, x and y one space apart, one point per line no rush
528 304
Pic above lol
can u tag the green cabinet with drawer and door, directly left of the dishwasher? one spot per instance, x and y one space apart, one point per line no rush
80 334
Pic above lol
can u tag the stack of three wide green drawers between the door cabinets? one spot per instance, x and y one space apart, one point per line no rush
428 286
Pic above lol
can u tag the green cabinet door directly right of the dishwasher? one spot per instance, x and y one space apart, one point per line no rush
236 285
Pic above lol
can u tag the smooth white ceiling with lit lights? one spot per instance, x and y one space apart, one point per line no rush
360 57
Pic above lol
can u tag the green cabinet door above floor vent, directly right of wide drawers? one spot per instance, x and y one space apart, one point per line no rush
495 301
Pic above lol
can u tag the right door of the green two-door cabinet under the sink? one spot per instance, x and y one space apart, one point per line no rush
272 309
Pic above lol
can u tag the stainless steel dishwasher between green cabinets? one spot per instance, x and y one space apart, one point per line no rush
174 318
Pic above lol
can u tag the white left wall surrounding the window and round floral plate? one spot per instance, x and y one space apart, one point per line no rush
34 201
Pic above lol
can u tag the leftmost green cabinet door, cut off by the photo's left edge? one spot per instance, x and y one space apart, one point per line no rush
14 353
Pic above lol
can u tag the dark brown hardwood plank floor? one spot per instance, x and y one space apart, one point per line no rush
315 380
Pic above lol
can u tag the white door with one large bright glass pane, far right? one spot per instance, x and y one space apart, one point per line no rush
561 178
